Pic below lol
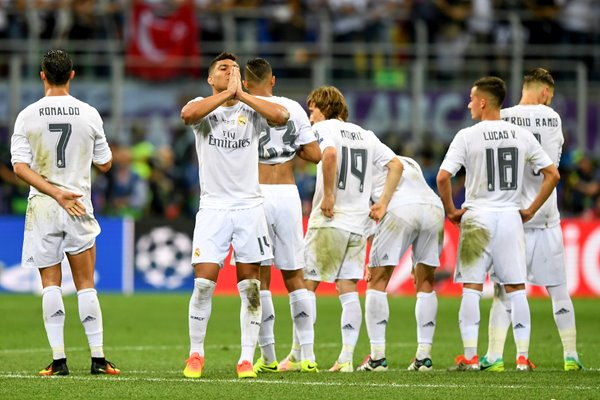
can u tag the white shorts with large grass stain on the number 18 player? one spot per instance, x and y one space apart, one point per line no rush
491 237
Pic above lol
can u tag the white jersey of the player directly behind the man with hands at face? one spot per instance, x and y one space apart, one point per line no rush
278 144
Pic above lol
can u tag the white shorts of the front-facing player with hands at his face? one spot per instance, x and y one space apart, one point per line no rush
244 229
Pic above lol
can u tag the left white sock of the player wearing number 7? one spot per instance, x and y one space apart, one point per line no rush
53 310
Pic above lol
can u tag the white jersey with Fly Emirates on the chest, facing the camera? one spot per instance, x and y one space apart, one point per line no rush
227 148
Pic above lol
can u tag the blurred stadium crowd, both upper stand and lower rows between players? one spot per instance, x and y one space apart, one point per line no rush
160 179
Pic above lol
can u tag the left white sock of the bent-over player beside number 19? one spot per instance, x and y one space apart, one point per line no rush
377 314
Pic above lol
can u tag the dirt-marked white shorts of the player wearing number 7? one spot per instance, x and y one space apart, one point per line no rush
50 232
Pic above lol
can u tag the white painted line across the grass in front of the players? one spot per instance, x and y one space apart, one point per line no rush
297 383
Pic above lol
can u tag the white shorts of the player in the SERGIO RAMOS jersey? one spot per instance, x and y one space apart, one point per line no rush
545 257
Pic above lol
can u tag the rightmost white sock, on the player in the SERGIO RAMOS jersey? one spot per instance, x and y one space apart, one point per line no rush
564 316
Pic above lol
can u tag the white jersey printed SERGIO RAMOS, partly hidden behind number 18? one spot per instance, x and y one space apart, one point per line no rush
546 126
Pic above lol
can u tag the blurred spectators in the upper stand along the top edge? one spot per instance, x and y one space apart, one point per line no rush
455 28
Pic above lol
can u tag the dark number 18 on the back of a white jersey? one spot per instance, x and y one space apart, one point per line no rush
507 164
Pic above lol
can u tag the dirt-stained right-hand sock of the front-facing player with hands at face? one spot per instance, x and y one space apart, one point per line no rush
250 316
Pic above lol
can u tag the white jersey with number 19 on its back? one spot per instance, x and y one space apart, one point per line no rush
358 151
